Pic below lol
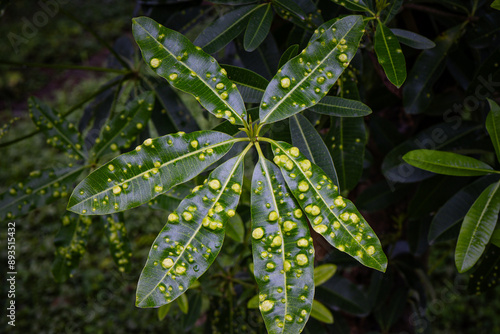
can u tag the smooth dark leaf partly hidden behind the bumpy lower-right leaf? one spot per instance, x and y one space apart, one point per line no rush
309 142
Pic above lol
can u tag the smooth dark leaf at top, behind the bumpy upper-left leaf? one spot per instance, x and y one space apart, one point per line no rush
225 29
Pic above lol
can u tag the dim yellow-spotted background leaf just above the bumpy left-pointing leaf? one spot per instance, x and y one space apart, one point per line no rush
121 131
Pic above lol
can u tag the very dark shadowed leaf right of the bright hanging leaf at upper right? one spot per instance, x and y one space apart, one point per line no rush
427 69
